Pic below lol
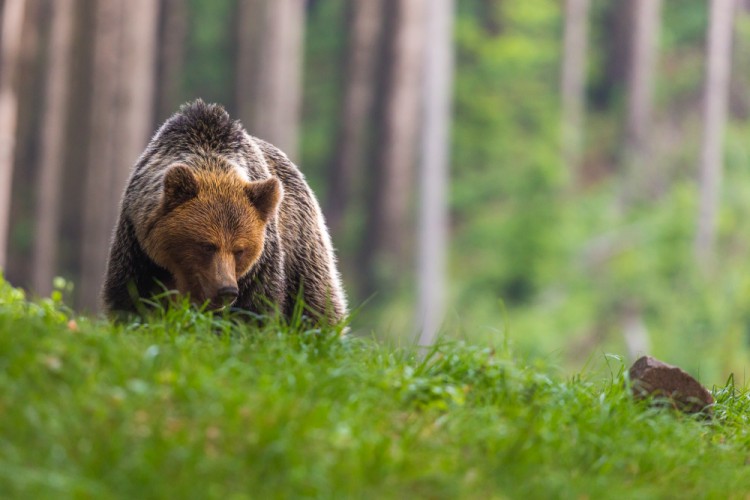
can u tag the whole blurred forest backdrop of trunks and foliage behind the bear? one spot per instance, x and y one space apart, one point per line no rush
598 156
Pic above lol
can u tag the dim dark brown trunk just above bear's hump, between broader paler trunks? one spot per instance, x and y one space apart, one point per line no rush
173 28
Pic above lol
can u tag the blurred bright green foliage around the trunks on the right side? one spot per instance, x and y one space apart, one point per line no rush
570 262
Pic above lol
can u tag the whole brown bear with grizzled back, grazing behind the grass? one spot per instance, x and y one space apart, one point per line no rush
222 217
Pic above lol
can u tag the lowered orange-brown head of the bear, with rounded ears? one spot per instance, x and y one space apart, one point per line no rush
210 230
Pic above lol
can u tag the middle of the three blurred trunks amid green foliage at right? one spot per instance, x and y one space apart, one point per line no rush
645 45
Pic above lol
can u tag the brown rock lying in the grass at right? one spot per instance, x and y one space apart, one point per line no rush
650 377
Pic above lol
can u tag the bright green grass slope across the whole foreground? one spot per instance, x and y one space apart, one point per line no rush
190 406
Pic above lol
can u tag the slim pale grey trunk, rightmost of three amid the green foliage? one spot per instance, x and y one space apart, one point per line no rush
714 119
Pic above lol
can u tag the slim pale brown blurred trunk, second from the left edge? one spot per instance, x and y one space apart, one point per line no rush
53 145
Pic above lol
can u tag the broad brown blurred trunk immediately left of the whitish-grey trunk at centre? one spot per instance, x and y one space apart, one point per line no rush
387 231
